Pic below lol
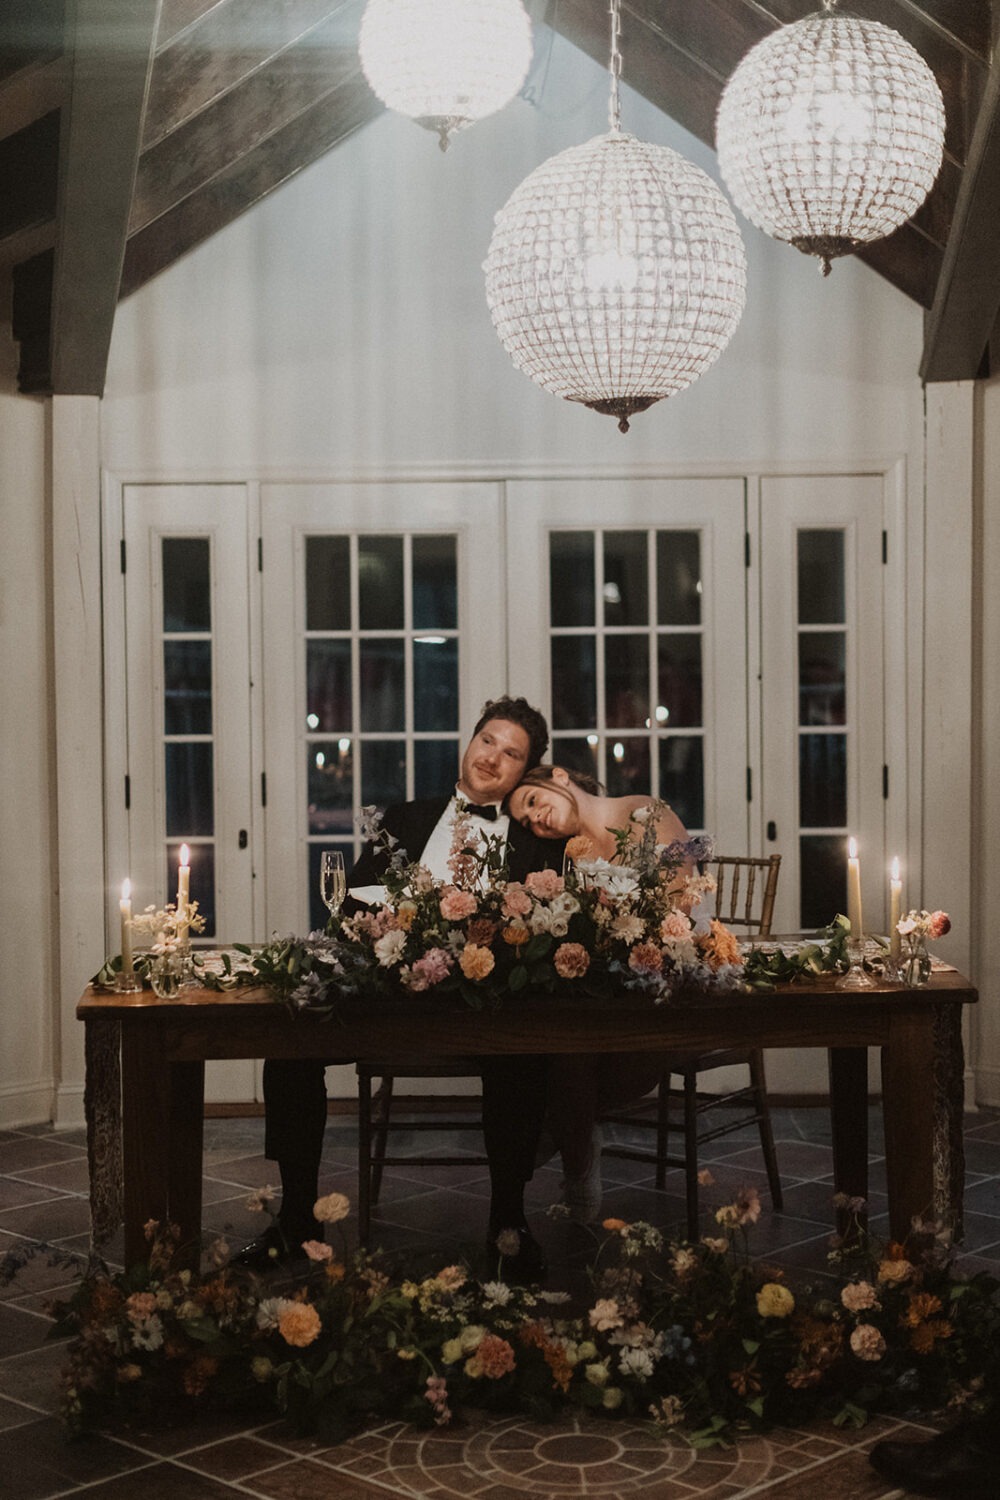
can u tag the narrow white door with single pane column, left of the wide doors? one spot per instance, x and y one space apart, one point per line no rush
188 760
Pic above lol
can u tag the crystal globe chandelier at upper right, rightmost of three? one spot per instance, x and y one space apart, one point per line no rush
831 133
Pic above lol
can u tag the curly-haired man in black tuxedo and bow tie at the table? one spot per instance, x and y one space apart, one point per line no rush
509 740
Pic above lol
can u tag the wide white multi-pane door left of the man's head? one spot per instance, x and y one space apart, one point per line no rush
383 619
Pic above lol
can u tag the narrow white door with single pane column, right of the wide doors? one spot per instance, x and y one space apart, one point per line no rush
824 760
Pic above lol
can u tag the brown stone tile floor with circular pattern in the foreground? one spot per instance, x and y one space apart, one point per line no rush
436 1214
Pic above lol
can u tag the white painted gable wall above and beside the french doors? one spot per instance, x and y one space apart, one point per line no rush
343 328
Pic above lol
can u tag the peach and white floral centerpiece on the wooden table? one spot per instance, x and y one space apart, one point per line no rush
597 929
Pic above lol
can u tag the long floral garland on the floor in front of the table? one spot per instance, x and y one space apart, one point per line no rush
692 1336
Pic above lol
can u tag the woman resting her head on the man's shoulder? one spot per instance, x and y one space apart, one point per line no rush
557 803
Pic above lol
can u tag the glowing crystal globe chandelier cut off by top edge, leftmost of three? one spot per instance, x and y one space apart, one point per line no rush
446 62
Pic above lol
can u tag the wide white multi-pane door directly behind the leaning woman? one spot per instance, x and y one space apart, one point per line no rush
627 623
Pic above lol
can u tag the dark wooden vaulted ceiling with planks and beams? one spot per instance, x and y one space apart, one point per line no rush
134 130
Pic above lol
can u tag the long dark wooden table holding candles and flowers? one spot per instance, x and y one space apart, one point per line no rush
146 1058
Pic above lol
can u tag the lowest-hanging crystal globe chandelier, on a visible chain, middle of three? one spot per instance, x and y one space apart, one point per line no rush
617 274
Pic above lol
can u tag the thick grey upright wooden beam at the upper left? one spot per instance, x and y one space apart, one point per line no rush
112 55
